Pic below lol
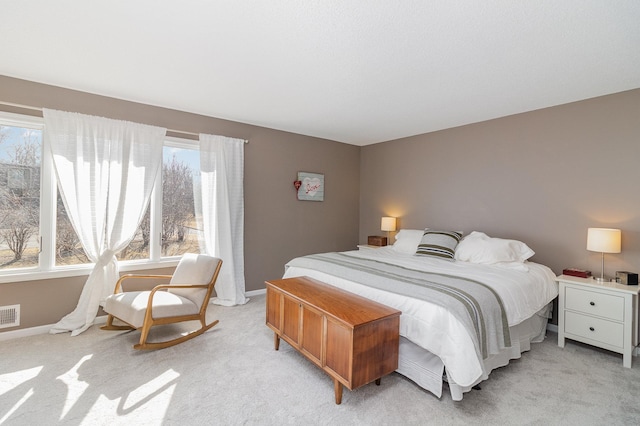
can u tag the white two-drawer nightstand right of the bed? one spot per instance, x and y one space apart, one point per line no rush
599 314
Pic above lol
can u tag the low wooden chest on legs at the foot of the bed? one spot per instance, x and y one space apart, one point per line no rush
353 339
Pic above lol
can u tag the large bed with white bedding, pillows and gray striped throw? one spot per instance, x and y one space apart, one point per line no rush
469 305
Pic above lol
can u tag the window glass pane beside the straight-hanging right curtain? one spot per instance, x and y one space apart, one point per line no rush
180 172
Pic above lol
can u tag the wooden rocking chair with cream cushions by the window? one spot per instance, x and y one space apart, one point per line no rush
185 298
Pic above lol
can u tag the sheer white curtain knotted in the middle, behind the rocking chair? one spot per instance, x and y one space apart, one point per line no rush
106 170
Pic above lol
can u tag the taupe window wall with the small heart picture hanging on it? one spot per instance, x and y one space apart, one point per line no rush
277 226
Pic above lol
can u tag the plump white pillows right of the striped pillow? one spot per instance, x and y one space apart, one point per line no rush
478 247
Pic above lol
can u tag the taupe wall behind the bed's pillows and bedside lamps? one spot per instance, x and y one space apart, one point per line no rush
542 177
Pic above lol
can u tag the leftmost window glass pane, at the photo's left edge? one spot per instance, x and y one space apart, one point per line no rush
20 155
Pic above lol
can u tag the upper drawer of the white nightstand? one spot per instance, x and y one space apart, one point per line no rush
593 303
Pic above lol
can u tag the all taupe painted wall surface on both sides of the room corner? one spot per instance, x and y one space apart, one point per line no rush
543 177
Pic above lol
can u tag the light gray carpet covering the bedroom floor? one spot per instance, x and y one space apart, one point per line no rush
231 375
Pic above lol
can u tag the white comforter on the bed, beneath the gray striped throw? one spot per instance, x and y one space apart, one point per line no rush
430 326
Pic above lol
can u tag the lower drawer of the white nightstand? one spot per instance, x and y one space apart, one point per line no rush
597 329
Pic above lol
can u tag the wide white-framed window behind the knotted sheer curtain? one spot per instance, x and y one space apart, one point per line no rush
35 231
